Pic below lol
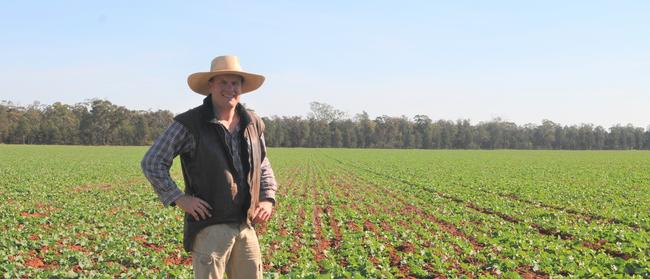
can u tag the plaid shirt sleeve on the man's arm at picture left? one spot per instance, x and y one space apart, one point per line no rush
158 160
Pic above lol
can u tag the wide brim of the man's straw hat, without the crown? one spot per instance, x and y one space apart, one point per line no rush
198 82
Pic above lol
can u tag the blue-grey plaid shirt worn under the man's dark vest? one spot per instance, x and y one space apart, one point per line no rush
178 140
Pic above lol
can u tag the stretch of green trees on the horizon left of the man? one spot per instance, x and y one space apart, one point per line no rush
95 122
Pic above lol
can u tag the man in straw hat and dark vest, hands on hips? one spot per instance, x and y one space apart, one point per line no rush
229 183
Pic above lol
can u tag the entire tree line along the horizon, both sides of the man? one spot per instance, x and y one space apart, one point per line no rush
99 122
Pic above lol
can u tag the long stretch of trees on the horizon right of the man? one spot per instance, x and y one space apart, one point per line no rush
328 127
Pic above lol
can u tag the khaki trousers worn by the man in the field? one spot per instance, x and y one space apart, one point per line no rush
230 248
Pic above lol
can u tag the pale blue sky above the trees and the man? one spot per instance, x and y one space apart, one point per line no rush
571 62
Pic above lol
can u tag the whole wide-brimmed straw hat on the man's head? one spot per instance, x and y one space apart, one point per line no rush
224 65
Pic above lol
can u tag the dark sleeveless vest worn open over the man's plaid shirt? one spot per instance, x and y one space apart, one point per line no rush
209 172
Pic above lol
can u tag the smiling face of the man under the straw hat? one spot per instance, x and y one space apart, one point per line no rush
226 91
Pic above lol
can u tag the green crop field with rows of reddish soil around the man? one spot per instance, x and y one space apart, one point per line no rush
71 211
